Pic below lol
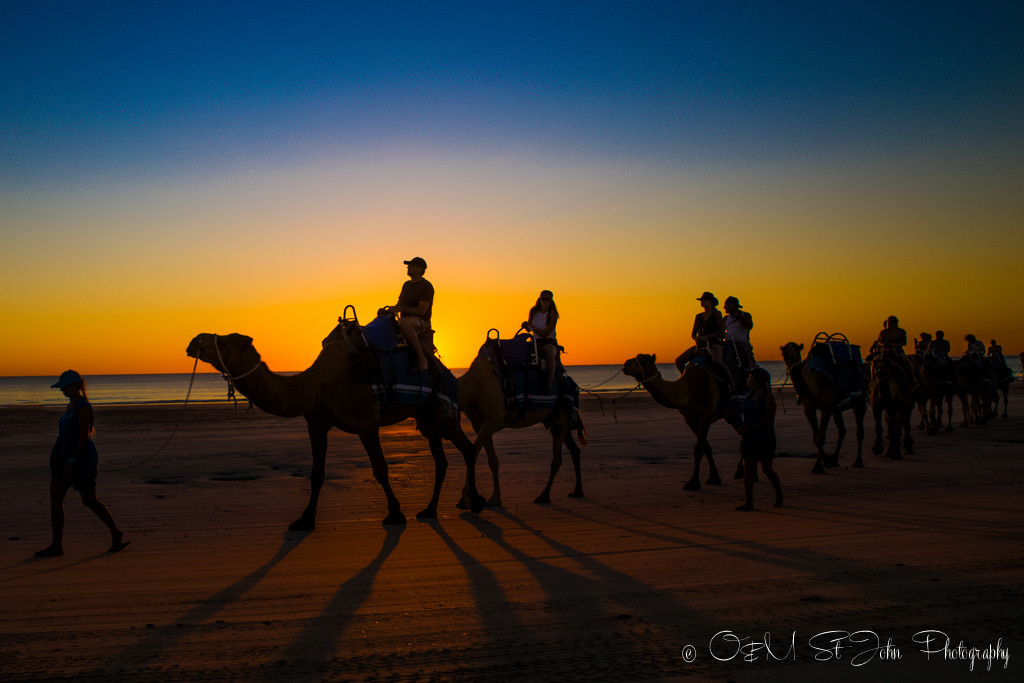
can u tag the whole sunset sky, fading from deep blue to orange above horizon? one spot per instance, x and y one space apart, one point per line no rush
168 169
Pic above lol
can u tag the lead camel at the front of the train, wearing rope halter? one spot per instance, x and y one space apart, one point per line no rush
328 396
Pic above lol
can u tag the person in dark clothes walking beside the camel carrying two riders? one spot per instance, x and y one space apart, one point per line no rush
758 436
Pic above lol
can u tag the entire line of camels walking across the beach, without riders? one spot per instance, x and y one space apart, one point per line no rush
360 385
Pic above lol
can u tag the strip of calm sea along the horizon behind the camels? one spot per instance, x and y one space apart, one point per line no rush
209 388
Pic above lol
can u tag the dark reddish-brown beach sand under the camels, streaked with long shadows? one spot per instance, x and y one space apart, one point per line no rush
632 582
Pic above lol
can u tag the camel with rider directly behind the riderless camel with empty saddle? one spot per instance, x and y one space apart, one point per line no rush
892 393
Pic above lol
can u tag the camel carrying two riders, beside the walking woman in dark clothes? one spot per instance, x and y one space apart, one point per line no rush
697 395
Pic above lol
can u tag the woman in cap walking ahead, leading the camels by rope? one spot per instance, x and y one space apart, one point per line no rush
73 464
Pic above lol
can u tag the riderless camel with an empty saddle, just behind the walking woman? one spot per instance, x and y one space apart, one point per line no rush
819 393
